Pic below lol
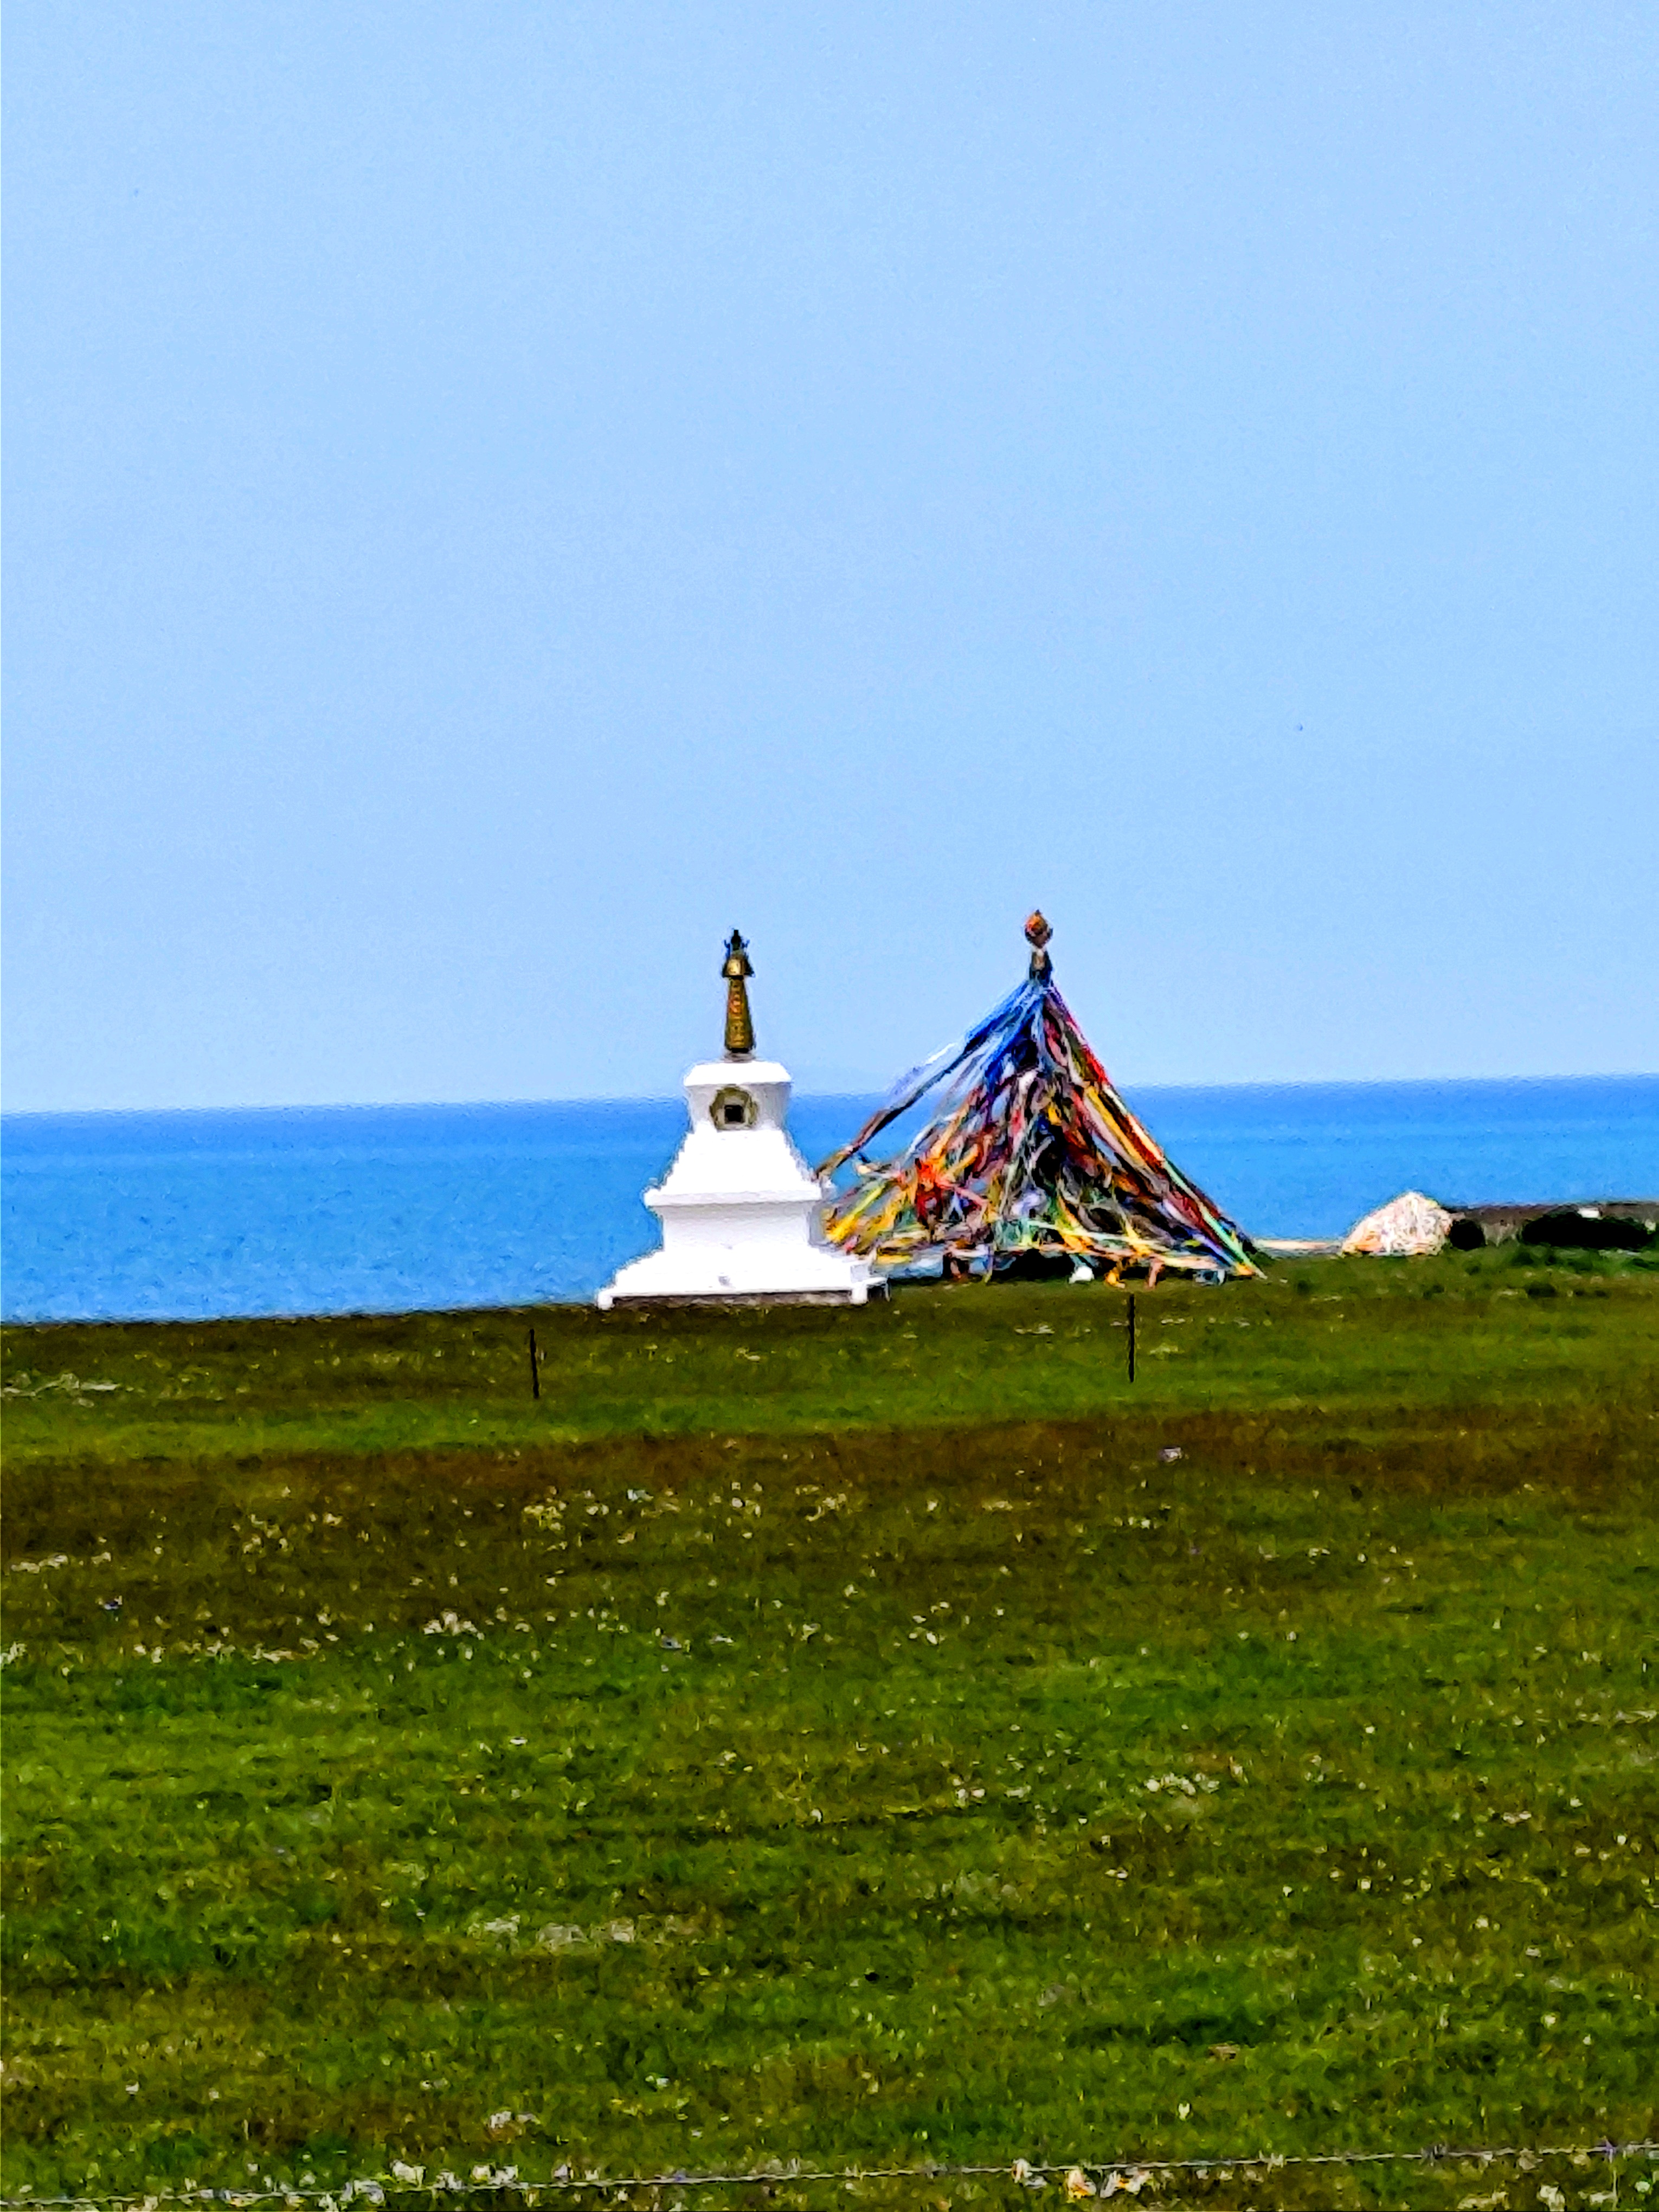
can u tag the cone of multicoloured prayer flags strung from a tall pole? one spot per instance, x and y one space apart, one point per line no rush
1030 1158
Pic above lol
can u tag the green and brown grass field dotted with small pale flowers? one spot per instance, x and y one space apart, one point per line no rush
851 1740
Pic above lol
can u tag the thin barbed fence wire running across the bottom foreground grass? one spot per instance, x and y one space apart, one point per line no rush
1081 2178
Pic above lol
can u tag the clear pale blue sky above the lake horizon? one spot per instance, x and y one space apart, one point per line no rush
501 494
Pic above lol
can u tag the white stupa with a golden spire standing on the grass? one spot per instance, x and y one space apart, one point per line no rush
742 1215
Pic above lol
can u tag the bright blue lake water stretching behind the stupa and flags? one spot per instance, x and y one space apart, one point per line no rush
386 1209
